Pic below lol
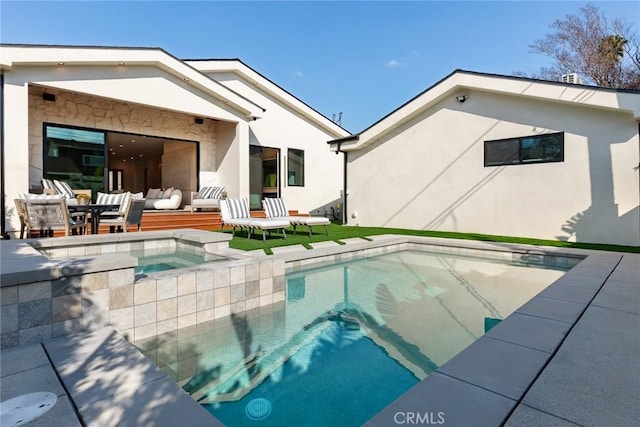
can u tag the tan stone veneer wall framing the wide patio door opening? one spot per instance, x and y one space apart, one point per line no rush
76 109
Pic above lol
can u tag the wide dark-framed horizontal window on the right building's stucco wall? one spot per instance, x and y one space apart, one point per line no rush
529 149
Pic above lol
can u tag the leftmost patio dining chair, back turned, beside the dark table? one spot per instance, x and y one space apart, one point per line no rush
48 215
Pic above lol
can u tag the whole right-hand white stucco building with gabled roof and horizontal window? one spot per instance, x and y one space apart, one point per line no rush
499 155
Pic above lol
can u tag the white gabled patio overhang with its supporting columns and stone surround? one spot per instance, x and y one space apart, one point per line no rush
138 91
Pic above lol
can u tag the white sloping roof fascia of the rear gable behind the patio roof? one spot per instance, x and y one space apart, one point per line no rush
259 81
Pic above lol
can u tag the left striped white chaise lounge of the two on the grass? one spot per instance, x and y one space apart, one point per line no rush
235 213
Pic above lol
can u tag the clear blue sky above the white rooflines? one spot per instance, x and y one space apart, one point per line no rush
361 58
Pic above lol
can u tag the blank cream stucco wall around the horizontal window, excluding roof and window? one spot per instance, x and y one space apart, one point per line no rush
430 173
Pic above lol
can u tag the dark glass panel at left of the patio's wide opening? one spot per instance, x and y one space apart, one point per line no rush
75 156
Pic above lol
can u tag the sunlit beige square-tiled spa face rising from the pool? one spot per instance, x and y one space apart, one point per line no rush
159 305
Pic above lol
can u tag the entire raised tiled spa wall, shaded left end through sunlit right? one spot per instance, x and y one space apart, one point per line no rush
139 309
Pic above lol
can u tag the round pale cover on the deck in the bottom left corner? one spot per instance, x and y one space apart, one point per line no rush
22 409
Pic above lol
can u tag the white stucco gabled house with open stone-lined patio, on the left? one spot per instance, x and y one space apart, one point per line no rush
113 118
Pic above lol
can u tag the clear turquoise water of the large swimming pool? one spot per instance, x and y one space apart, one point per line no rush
349 339
